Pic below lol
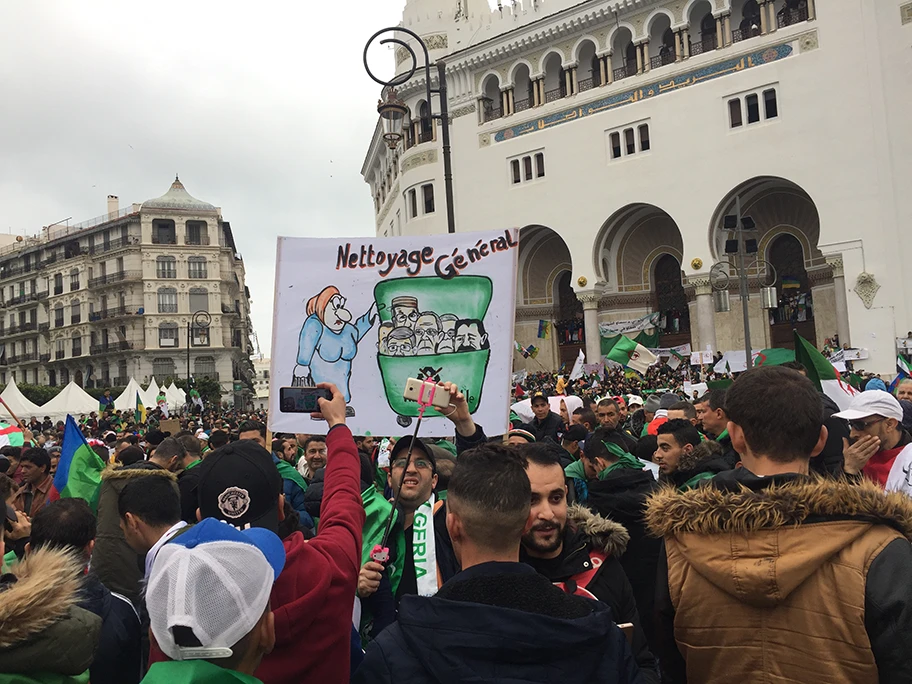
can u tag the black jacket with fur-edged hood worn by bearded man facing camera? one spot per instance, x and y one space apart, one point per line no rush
587 532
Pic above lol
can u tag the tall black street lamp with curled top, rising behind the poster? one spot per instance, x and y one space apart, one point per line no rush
393 110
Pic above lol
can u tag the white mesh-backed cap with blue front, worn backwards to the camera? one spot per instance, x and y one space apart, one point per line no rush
215 580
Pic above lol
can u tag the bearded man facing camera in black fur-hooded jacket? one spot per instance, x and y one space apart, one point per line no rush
578 550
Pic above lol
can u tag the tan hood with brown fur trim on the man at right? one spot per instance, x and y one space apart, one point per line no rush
794 525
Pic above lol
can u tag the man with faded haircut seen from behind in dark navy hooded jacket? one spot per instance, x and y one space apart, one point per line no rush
498 618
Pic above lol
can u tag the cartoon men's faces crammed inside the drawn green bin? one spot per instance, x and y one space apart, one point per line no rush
413 332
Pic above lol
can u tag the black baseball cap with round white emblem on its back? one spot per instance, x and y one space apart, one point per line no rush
239 484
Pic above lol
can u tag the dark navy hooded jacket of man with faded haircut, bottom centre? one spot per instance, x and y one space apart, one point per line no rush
499 622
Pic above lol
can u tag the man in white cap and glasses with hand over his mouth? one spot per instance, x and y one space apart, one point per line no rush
877 444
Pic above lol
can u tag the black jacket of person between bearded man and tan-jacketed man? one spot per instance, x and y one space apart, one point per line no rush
622 497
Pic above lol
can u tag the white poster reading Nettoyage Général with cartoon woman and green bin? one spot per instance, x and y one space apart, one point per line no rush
367 314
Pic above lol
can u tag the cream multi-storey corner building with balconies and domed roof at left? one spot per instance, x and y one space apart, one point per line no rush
111 298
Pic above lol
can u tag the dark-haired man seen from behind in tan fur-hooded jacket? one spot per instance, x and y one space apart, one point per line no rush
774 575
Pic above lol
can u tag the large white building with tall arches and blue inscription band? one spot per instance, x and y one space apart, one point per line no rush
618 134
